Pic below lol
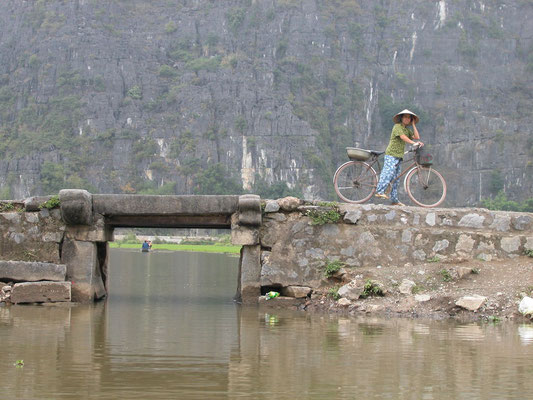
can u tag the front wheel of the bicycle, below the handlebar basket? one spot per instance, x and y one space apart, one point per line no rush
425 186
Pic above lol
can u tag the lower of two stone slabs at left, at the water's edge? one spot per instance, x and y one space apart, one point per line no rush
41 292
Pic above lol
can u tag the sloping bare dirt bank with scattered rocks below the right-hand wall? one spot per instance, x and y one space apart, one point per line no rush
504 283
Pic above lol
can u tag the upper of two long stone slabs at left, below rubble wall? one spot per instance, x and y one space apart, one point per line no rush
31 271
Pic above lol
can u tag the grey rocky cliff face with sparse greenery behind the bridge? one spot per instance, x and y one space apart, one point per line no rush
262 96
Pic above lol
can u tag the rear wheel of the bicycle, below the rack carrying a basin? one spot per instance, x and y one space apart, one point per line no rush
355 182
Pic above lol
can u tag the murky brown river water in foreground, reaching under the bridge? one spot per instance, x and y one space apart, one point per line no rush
170 330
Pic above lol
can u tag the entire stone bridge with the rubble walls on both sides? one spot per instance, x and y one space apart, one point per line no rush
286 243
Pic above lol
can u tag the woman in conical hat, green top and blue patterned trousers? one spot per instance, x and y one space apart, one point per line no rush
394 153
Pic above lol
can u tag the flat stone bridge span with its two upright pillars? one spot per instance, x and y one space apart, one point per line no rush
93 219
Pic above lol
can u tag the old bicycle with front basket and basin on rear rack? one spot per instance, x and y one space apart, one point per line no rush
356 180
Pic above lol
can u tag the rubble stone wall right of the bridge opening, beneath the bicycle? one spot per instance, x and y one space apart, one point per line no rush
295 247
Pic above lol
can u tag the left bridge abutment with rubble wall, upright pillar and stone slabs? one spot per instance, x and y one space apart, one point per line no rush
35 237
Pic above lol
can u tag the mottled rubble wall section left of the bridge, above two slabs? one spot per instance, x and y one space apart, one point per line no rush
31 236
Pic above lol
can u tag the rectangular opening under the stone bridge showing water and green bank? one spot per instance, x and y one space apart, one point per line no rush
199 263
